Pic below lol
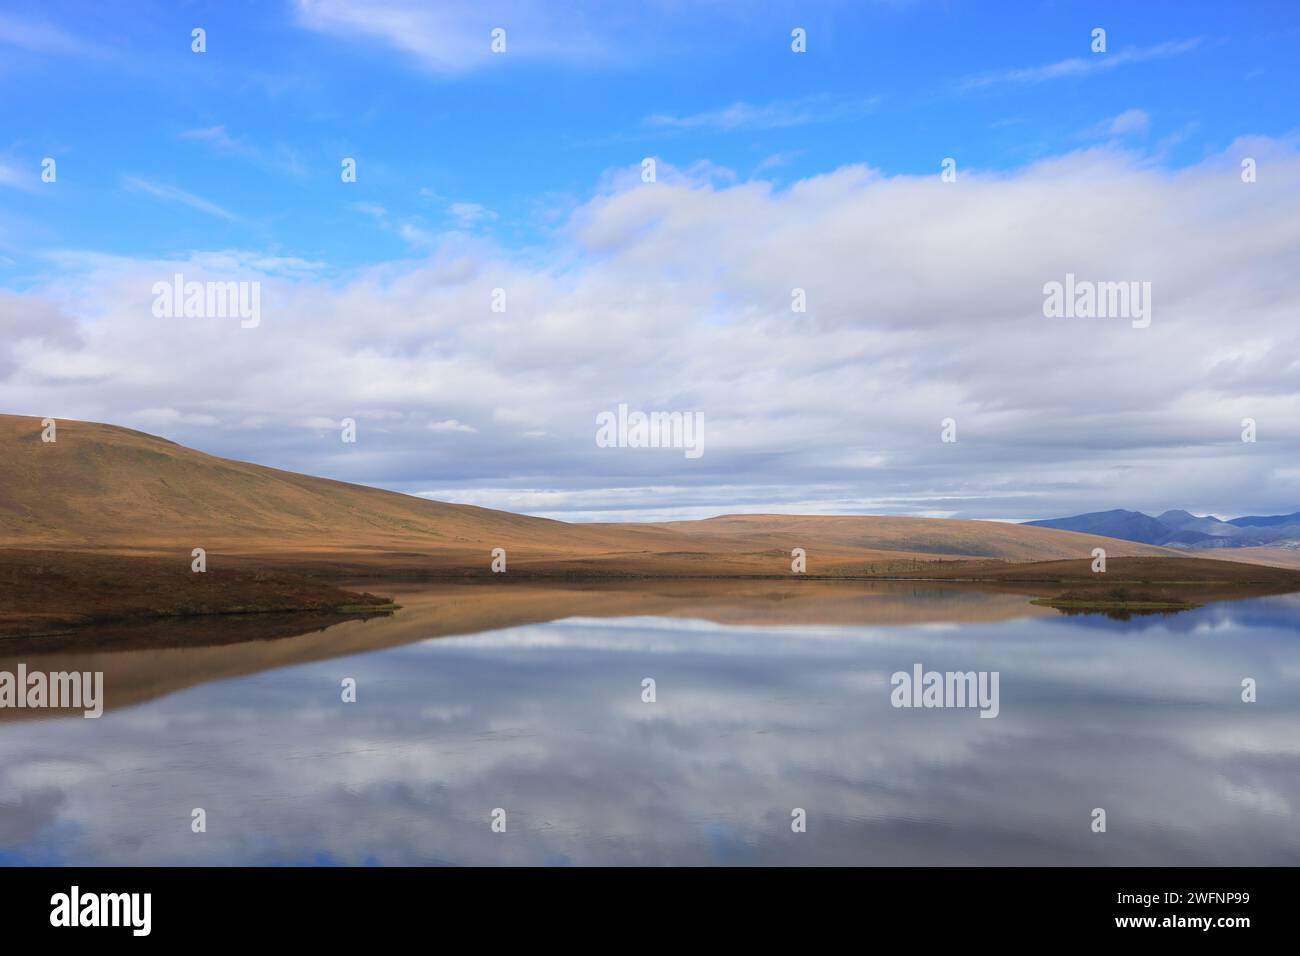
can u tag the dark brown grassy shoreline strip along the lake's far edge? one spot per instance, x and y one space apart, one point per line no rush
45 592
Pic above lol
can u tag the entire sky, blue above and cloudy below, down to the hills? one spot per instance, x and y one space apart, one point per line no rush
777 171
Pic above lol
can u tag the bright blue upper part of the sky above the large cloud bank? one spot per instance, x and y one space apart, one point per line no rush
258 126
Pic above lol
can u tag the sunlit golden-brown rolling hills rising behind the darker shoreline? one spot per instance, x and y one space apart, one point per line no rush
115 490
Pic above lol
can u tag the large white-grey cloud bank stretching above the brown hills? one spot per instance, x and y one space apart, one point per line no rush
924 302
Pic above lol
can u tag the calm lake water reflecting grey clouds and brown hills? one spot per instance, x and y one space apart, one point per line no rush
547 721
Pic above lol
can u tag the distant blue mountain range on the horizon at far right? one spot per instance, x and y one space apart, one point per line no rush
1185 530
